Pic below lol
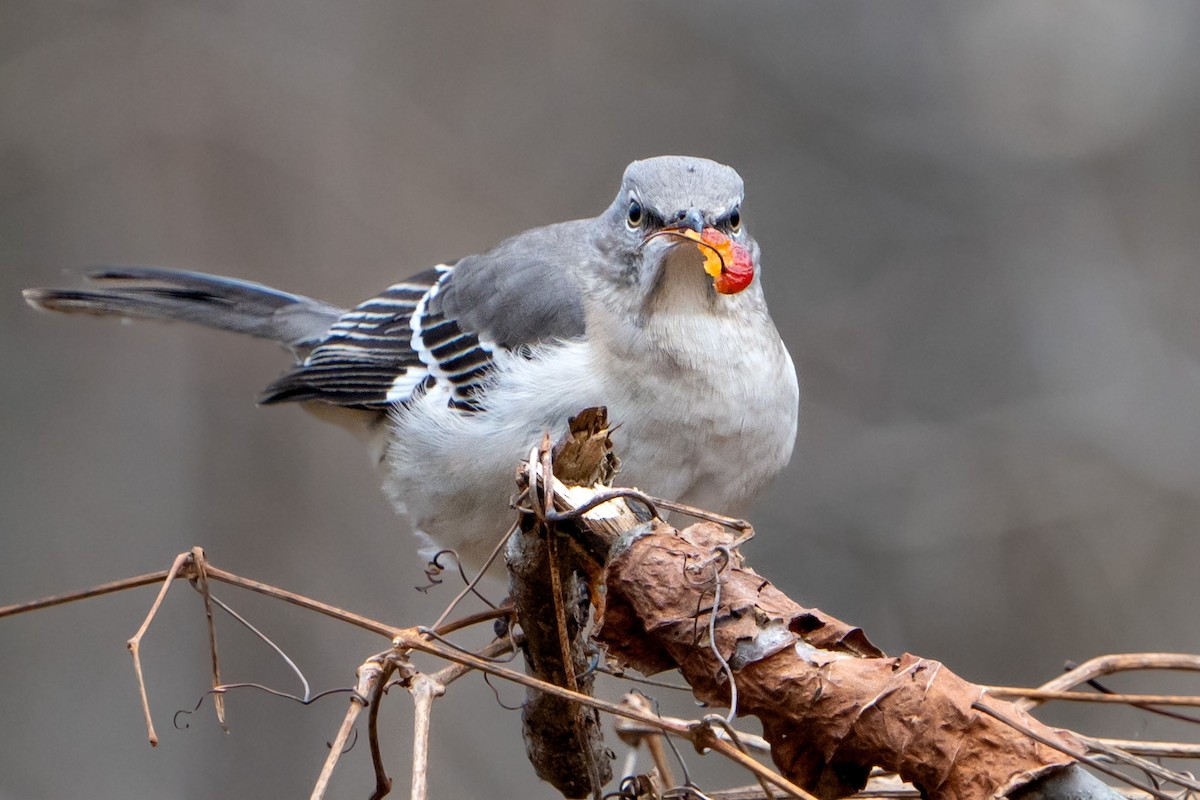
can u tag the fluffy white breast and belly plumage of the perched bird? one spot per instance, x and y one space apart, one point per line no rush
710 425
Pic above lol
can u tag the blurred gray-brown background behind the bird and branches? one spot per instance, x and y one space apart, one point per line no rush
981 226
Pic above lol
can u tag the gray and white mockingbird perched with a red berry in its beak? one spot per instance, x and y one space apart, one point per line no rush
655 310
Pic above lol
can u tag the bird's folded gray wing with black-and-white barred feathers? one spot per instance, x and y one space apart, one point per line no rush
442 327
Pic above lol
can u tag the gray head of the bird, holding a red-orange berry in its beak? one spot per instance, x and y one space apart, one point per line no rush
677 222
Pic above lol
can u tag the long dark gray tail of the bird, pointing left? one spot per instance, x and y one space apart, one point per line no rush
211 300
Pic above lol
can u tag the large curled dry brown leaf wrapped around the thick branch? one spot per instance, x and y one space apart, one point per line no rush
832 705
